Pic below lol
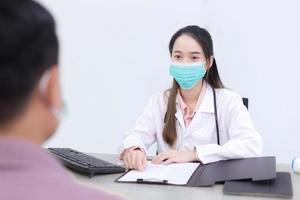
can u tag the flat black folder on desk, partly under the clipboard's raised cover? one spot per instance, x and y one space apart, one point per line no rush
279 187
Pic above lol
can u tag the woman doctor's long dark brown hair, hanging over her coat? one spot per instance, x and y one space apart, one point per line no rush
212 77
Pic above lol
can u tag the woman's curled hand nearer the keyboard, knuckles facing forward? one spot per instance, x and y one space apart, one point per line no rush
135 159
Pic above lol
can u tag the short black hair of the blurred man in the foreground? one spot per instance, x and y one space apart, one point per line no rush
28 47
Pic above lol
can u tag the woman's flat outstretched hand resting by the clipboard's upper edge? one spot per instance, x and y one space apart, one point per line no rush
174 156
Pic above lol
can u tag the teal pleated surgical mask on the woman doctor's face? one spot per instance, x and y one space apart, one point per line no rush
187 75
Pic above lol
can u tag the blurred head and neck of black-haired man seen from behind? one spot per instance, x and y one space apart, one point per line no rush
29 84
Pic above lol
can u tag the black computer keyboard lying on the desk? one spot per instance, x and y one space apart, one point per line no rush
84 163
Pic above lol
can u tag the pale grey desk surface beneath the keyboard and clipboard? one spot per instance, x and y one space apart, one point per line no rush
157 192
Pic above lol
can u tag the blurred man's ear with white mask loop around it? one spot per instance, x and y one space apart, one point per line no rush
50 87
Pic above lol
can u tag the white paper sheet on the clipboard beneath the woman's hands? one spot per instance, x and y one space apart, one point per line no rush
177 173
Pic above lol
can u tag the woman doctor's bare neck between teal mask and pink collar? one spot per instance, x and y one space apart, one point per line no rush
191 96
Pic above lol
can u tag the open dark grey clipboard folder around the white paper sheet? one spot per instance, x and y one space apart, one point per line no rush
255 169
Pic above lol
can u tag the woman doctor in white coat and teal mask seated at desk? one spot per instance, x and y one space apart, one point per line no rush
197 119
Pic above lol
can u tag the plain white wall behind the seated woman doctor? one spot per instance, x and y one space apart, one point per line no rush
114 56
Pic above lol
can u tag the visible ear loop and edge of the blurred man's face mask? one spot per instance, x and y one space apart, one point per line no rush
59 113
